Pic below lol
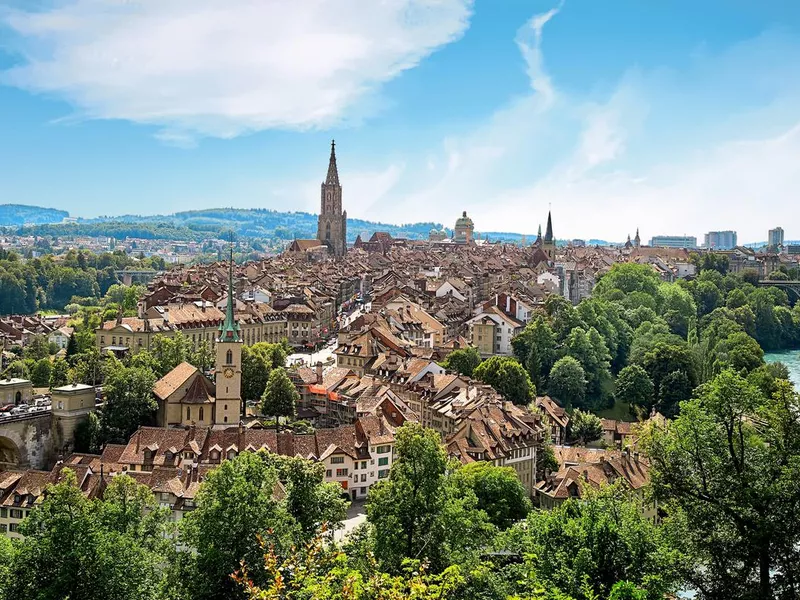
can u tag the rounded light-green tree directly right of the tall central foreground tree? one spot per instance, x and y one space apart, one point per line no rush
499 491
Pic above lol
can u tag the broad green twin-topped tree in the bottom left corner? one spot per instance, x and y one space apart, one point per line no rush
72 549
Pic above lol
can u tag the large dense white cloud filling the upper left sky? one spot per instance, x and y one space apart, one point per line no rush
225 68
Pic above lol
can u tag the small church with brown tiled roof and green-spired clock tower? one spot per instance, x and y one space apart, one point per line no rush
187 397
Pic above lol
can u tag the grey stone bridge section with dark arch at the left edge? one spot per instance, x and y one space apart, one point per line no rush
30 440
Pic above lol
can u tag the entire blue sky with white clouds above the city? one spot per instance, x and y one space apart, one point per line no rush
675 118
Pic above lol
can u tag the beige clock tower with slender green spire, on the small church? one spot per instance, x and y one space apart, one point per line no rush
228 371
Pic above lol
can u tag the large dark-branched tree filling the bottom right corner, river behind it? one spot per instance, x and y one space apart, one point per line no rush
727 473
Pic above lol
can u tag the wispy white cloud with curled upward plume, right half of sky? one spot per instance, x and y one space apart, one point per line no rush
672 152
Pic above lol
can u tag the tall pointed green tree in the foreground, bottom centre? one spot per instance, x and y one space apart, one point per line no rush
415 513
